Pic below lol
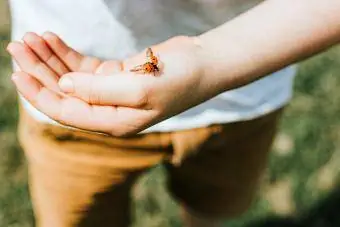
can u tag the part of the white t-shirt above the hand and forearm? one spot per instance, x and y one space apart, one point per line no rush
118 28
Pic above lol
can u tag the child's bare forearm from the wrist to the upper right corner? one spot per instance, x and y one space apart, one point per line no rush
267 38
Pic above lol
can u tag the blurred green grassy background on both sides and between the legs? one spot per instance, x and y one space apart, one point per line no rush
300 187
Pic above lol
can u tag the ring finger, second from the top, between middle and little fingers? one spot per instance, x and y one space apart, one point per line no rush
42 50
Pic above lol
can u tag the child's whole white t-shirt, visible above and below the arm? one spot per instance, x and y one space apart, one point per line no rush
115 29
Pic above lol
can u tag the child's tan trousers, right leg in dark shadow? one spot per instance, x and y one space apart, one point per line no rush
83 179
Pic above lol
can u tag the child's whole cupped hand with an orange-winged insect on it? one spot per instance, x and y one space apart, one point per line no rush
105 96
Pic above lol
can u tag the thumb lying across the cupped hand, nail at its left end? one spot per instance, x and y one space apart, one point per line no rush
122 89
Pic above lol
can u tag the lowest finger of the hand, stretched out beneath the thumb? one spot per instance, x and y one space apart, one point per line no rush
76 113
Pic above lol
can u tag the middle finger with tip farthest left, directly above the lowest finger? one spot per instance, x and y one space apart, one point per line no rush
31 64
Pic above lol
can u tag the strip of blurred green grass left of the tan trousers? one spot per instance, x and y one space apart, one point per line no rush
15 207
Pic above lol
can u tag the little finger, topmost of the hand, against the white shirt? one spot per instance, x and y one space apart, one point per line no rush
71 58
